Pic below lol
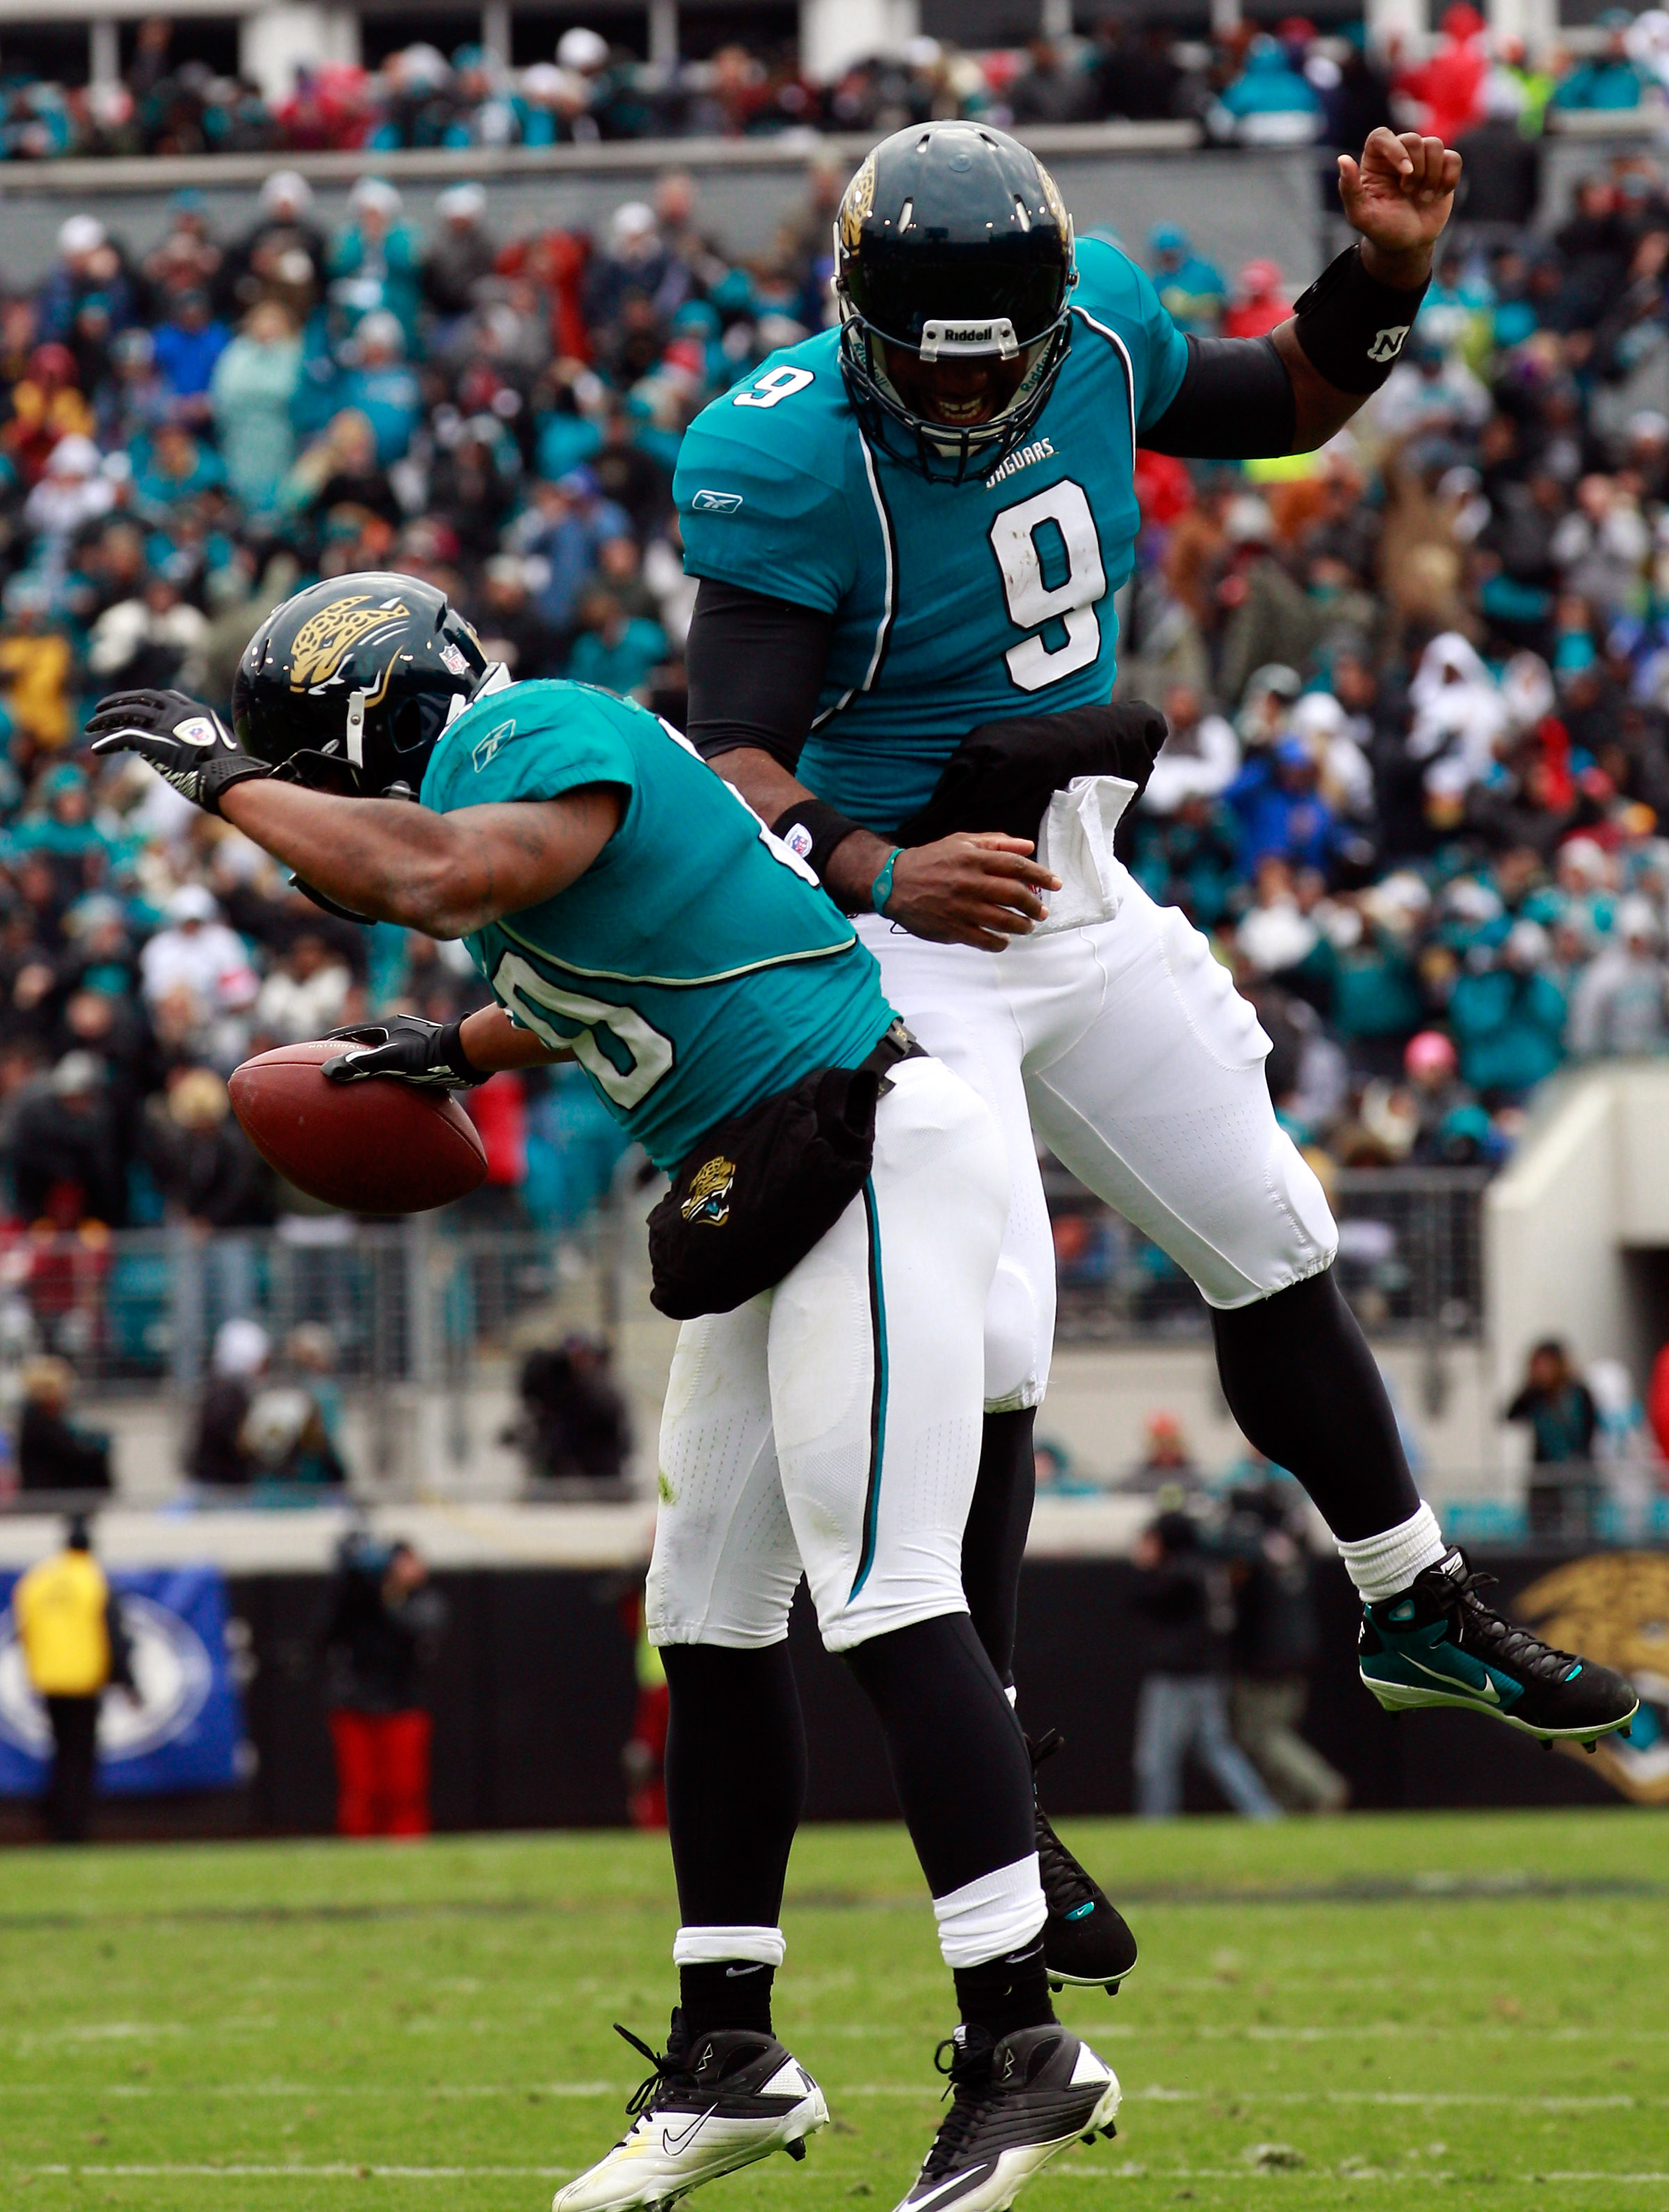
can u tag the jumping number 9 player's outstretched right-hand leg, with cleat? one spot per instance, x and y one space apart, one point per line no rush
1148 1085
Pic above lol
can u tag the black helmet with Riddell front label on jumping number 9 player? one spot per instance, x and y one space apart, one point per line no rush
952 240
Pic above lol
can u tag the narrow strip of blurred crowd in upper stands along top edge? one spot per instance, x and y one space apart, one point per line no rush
1243 85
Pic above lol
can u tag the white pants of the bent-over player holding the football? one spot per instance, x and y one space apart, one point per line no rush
834 1423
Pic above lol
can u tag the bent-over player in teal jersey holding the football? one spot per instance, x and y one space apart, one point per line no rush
629 910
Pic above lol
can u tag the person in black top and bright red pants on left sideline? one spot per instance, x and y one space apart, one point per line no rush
381 1631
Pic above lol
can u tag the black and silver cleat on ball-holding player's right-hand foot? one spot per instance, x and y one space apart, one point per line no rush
1016 2105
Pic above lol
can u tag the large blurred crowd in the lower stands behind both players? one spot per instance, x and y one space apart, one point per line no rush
1418 685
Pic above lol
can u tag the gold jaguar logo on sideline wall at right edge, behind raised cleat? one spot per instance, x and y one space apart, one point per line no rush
1615 1607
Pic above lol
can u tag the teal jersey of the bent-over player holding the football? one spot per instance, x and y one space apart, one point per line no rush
697 966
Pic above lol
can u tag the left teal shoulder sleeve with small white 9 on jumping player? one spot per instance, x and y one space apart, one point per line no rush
766 474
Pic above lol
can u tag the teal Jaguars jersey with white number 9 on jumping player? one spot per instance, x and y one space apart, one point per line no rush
954 603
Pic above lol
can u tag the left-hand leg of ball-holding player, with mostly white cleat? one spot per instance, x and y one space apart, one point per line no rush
717 1605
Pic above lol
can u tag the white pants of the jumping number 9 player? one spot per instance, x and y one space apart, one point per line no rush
1140 1065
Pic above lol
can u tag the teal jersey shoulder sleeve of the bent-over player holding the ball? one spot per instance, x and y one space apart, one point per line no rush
532 742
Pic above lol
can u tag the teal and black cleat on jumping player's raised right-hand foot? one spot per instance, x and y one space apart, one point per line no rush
1440 1645
